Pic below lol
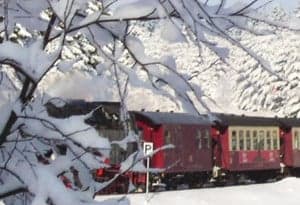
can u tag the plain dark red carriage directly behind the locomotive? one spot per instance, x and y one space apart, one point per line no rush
191 159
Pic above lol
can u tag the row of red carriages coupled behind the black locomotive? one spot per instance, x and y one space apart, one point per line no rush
229 149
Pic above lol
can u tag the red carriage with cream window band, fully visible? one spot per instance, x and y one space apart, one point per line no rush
246 146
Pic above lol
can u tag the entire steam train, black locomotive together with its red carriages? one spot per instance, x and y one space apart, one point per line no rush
230 148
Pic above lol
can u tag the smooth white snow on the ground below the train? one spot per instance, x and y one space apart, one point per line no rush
277 193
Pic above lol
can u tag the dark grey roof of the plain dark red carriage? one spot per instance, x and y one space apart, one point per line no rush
159 118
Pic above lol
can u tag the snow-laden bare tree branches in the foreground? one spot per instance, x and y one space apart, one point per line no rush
93 43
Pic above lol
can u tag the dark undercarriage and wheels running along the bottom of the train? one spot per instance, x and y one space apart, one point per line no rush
193 180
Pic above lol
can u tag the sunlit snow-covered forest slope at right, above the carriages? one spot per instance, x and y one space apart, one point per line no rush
239 84
